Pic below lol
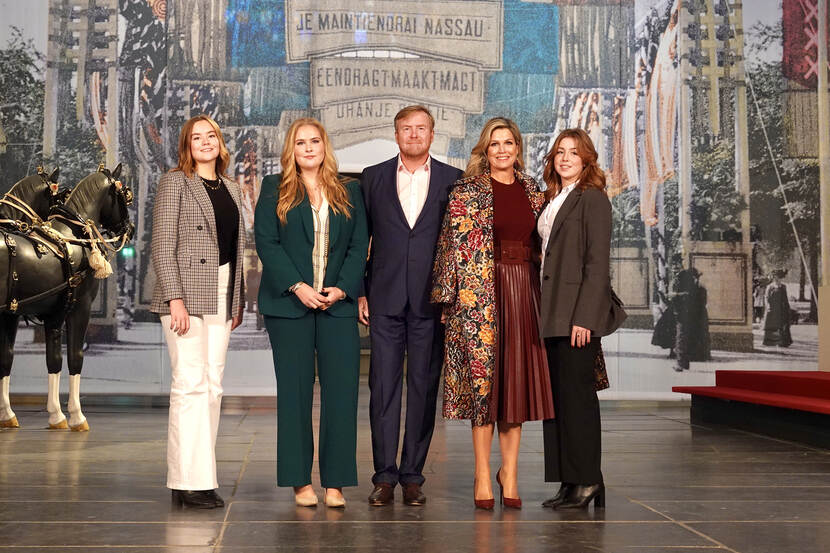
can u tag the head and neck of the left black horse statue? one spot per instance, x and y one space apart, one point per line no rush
28 202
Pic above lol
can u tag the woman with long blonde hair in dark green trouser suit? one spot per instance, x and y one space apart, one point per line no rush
311 237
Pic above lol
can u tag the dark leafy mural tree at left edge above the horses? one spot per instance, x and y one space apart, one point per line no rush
21 109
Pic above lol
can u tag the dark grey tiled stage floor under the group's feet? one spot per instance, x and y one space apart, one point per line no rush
672 487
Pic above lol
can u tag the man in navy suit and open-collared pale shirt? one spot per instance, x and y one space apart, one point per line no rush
405 199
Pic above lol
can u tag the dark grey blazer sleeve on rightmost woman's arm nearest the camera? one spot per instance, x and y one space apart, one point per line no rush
593 299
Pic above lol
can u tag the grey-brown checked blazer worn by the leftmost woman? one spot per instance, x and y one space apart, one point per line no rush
185 250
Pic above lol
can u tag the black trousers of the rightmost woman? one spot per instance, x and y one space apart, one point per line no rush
572 440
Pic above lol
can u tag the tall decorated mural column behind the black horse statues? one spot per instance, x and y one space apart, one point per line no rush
82 57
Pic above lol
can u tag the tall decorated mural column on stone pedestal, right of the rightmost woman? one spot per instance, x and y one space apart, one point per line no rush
714 165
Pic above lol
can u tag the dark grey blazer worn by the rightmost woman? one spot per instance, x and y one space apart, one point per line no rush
576 285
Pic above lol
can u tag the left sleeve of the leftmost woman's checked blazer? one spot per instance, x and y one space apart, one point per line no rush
164 243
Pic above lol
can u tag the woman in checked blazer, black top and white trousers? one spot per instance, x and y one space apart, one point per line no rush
196 250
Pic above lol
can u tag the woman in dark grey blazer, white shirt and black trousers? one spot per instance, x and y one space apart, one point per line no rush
575 228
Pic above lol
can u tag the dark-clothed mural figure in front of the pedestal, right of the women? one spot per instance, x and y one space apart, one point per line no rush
688 304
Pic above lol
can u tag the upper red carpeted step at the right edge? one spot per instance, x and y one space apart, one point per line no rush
799 383
